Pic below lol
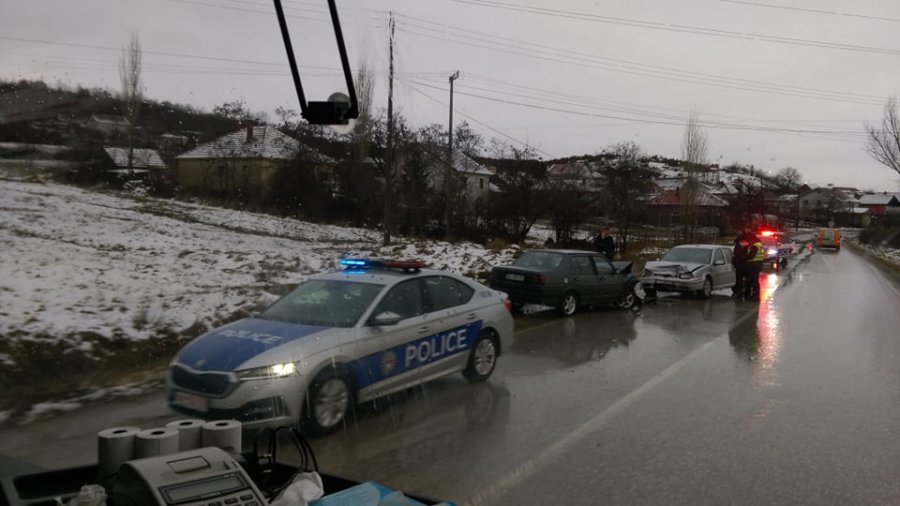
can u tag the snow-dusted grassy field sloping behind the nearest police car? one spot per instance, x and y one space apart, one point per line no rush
77 262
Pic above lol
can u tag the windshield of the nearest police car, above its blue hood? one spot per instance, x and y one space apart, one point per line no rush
325 302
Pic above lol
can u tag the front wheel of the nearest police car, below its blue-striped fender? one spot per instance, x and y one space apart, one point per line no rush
329 402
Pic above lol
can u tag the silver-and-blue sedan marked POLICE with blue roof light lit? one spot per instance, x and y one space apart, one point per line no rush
341 338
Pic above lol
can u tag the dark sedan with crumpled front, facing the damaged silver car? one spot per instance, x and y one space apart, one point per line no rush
567 280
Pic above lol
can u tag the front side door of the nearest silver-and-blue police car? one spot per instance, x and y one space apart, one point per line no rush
380 350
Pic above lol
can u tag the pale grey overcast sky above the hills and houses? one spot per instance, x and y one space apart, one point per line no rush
776 82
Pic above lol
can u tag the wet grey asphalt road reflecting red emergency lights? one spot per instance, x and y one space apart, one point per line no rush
792 400
